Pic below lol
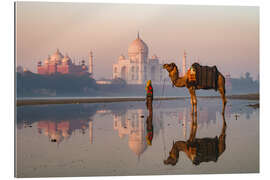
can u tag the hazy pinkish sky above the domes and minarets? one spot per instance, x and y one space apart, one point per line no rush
226 36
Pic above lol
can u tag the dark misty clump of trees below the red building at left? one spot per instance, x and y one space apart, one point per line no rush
31 84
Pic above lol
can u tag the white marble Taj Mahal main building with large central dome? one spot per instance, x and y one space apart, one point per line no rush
137 68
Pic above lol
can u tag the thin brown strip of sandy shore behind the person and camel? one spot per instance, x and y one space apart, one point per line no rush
23 102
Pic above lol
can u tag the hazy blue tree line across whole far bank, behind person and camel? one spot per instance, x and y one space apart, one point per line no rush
31 84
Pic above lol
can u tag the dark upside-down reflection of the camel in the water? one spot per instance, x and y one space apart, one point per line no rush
199 150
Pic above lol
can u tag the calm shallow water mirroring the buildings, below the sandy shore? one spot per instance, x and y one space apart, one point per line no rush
110 138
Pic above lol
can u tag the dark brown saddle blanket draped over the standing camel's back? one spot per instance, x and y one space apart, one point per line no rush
206 77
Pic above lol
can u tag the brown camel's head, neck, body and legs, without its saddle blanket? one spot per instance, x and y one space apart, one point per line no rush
183 82
